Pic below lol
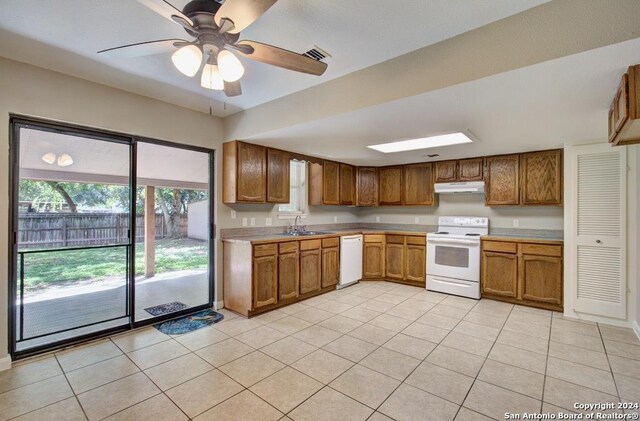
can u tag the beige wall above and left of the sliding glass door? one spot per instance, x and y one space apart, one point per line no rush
29 90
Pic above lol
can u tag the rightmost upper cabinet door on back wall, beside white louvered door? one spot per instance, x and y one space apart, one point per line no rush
541 178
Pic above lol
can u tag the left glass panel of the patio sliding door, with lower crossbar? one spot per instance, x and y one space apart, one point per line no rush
72 218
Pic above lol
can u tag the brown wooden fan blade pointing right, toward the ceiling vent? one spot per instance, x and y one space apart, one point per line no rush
280 57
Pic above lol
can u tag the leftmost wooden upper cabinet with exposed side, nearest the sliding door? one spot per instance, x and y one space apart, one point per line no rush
244 169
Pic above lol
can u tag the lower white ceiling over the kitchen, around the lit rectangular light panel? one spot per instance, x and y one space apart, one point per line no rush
538 107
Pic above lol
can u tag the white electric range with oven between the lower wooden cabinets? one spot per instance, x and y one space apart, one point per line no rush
453 255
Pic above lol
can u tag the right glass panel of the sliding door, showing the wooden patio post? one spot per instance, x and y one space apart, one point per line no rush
173 241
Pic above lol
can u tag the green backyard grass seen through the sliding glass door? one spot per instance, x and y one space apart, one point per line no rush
44 269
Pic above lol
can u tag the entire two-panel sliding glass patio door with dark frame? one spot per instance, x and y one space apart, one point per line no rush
95 248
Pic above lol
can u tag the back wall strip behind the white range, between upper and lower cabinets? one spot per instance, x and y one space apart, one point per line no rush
469 205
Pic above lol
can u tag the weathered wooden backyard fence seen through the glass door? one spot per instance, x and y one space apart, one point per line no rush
43 230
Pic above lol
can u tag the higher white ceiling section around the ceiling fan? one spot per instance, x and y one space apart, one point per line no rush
64 35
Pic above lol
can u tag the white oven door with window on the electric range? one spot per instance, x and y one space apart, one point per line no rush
454 258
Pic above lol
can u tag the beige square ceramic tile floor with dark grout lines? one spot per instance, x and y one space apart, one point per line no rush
373 351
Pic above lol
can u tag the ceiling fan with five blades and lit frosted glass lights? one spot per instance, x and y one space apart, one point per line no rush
215 29
